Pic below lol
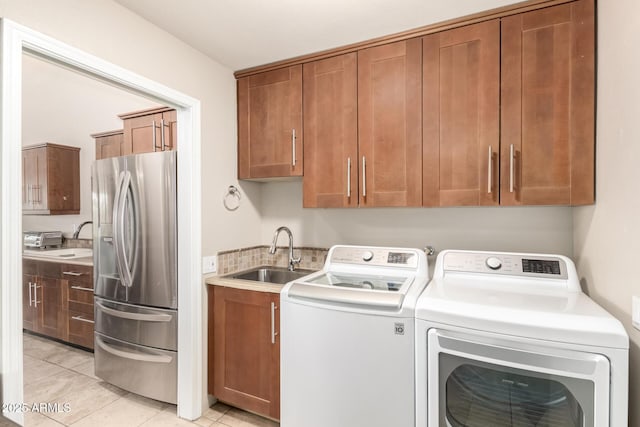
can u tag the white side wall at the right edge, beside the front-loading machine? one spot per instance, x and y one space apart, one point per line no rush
607 235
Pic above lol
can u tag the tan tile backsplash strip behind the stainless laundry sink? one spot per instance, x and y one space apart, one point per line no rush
245 258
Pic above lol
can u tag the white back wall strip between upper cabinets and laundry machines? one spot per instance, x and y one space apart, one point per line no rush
533 229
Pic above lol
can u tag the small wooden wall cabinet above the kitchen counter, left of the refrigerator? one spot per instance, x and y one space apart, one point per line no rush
50 180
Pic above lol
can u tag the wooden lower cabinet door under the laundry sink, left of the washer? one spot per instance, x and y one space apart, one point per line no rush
247 350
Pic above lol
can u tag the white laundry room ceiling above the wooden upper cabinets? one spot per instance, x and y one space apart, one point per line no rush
247 33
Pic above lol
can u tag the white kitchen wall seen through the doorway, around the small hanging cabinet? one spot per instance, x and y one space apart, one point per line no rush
65 107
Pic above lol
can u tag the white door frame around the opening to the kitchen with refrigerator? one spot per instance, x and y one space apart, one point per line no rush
15 41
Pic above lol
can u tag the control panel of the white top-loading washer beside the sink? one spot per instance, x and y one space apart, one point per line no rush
384 257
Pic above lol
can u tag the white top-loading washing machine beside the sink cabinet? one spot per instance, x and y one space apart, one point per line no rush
347 340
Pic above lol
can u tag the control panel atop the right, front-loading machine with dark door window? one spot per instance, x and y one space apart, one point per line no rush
509 264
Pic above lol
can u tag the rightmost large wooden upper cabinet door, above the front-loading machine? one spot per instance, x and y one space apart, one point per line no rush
548 106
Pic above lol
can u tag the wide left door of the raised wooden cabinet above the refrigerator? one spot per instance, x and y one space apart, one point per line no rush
143 134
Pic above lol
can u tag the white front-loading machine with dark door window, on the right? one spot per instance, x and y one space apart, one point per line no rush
508 339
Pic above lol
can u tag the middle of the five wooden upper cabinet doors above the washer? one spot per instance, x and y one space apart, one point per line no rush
390 124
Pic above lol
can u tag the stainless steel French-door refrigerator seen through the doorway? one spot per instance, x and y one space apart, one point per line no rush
135 273
